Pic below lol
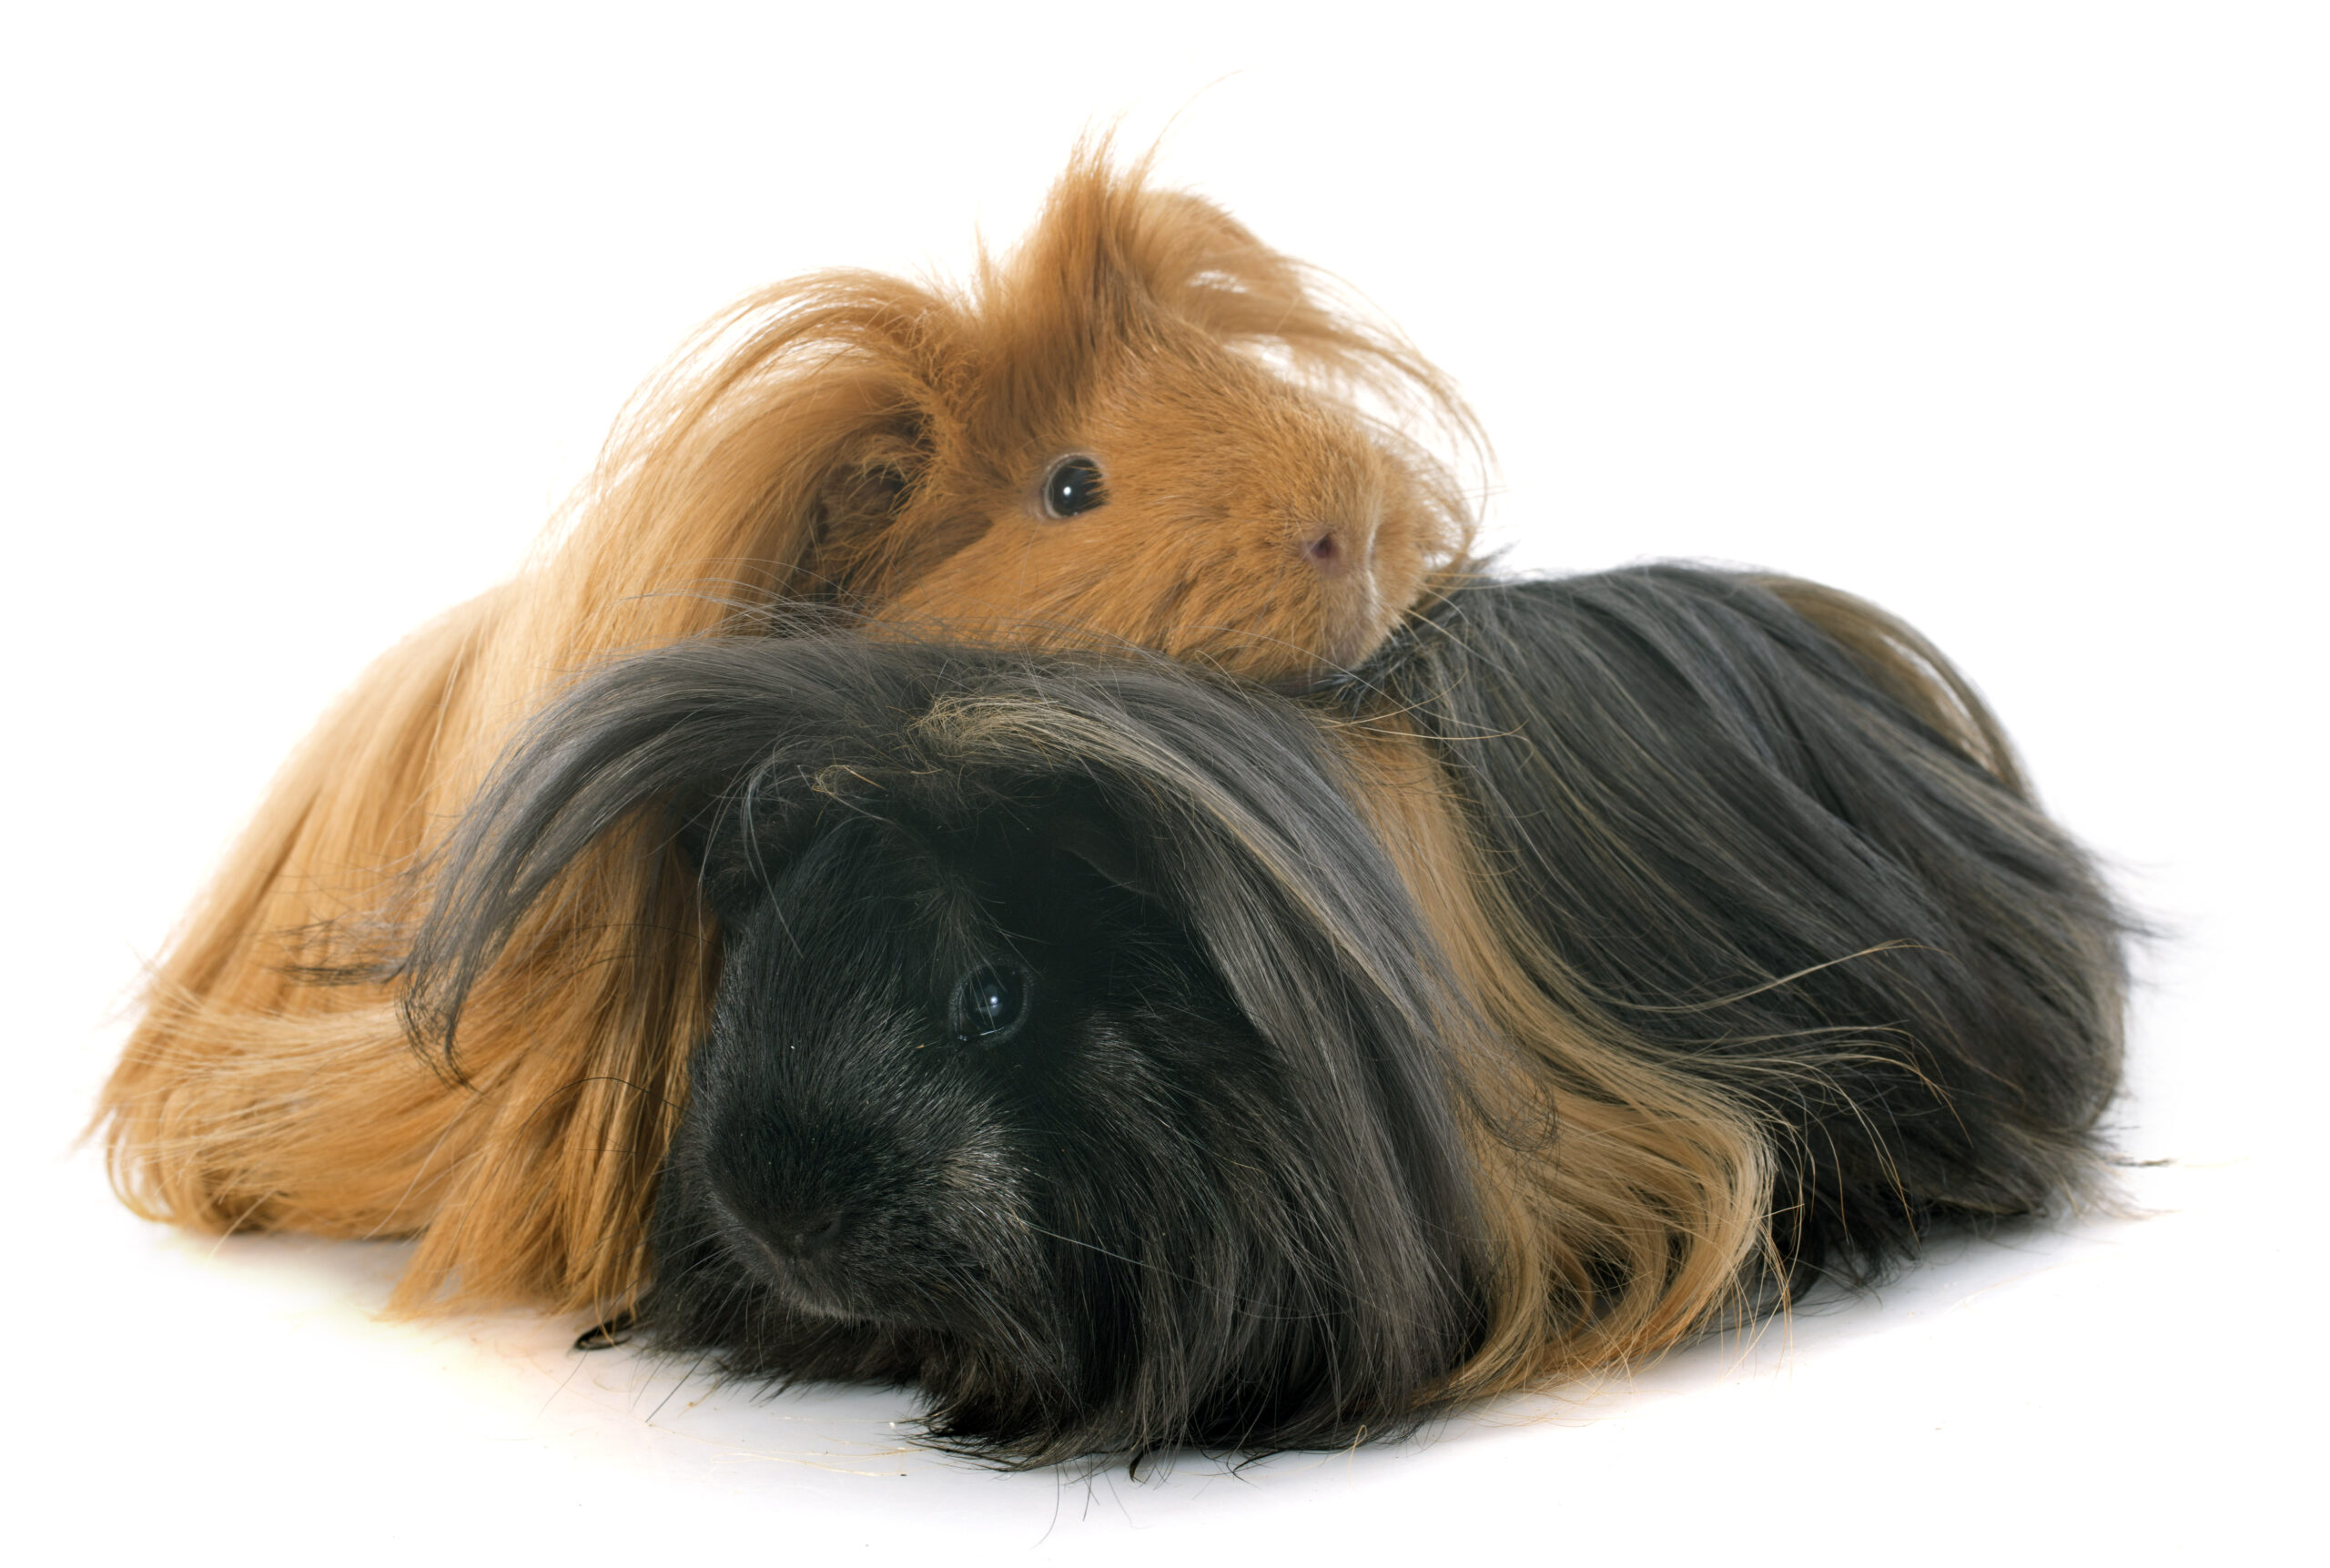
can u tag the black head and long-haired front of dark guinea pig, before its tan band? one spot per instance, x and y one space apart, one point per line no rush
1075 1054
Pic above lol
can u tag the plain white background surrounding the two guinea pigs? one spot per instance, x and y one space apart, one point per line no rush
2010 318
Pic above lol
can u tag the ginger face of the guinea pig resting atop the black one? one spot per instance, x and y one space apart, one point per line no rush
1194 502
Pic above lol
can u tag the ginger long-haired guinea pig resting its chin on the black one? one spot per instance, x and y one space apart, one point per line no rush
1143 428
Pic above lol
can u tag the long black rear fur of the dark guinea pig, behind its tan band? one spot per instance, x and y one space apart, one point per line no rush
1753 854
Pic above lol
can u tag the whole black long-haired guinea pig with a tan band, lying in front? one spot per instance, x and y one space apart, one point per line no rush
1136 1059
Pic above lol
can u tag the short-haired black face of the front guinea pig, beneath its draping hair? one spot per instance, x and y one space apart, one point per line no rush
975 1117
